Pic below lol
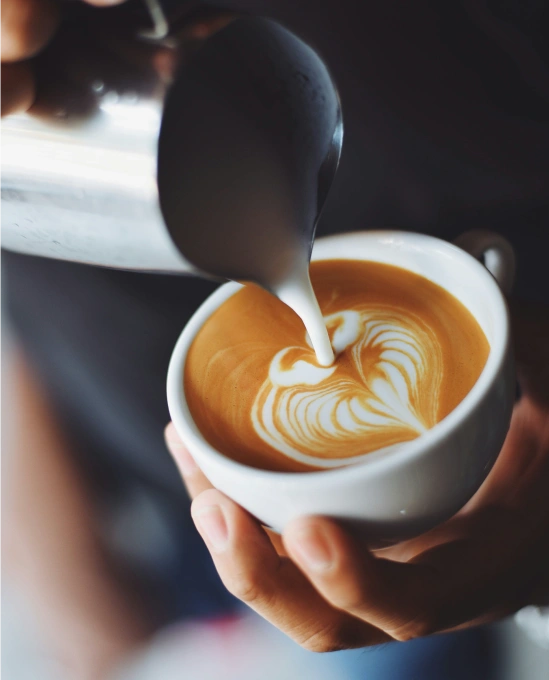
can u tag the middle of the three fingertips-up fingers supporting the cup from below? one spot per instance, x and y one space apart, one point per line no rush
272 585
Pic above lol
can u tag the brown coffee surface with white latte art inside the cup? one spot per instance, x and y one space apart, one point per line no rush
407 352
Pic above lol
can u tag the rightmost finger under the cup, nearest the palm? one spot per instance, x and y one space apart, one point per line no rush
400 599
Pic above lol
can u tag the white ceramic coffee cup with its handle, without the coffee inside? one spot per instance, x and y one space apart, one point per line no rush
396 495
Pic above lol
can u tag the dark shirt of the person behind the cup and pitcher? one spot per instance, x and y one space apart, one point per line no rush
446 110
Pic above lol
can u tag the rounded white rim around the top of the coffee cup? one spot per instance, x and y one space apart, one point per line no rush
376 461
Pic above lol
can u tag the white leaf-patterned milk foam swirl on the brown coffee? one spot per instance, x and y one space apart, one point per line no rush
307 412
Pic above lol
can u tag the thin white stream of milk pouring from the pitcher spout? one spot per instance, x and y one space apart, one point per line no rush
297 292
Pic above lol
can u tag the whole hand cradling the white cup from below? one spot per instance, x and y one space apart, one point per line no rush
324 588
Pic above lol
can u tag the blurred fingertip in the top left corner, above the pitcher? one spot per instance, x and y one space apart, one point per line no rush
25 27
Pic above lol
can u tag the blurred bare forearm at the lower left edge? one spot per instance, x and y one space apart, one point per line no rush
52 551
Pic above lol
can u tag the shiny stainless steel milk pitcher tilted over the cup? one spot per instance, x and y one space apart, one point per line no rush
138 153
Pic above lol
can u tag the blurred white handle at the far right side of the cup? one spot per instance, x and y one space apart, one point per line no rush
494 251
